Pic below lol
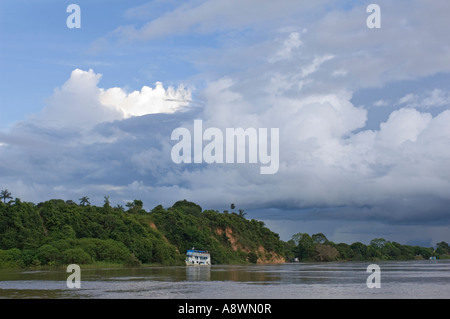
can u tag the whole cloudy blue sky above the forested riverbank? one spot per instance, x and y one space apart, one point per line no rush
363 113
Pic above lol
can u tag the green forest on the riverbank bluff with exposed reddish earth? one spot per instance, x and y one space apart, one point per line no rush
58 232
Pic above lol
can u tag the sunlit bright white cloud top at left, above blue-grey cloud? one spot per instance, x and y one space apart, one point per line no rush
80 102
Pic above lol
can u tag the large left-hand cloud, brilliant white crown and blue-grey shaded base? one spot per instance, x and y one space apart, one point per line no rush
85 139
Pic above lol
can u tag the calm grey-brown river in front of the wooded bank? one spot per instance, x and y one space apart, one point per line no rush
425 279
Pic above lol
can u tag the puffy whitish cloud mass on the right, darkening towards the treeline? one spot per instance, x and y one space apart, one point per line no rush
326 160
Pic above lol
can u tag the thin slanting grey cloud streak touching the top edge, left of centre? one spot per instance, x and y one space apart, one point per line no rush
206 17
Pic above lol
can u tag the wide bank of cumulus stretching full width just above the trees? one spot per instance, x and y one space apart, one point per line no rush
398 173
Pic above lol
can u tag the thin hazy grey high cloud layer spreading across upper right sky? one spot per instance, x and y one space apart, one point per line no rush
410 44
